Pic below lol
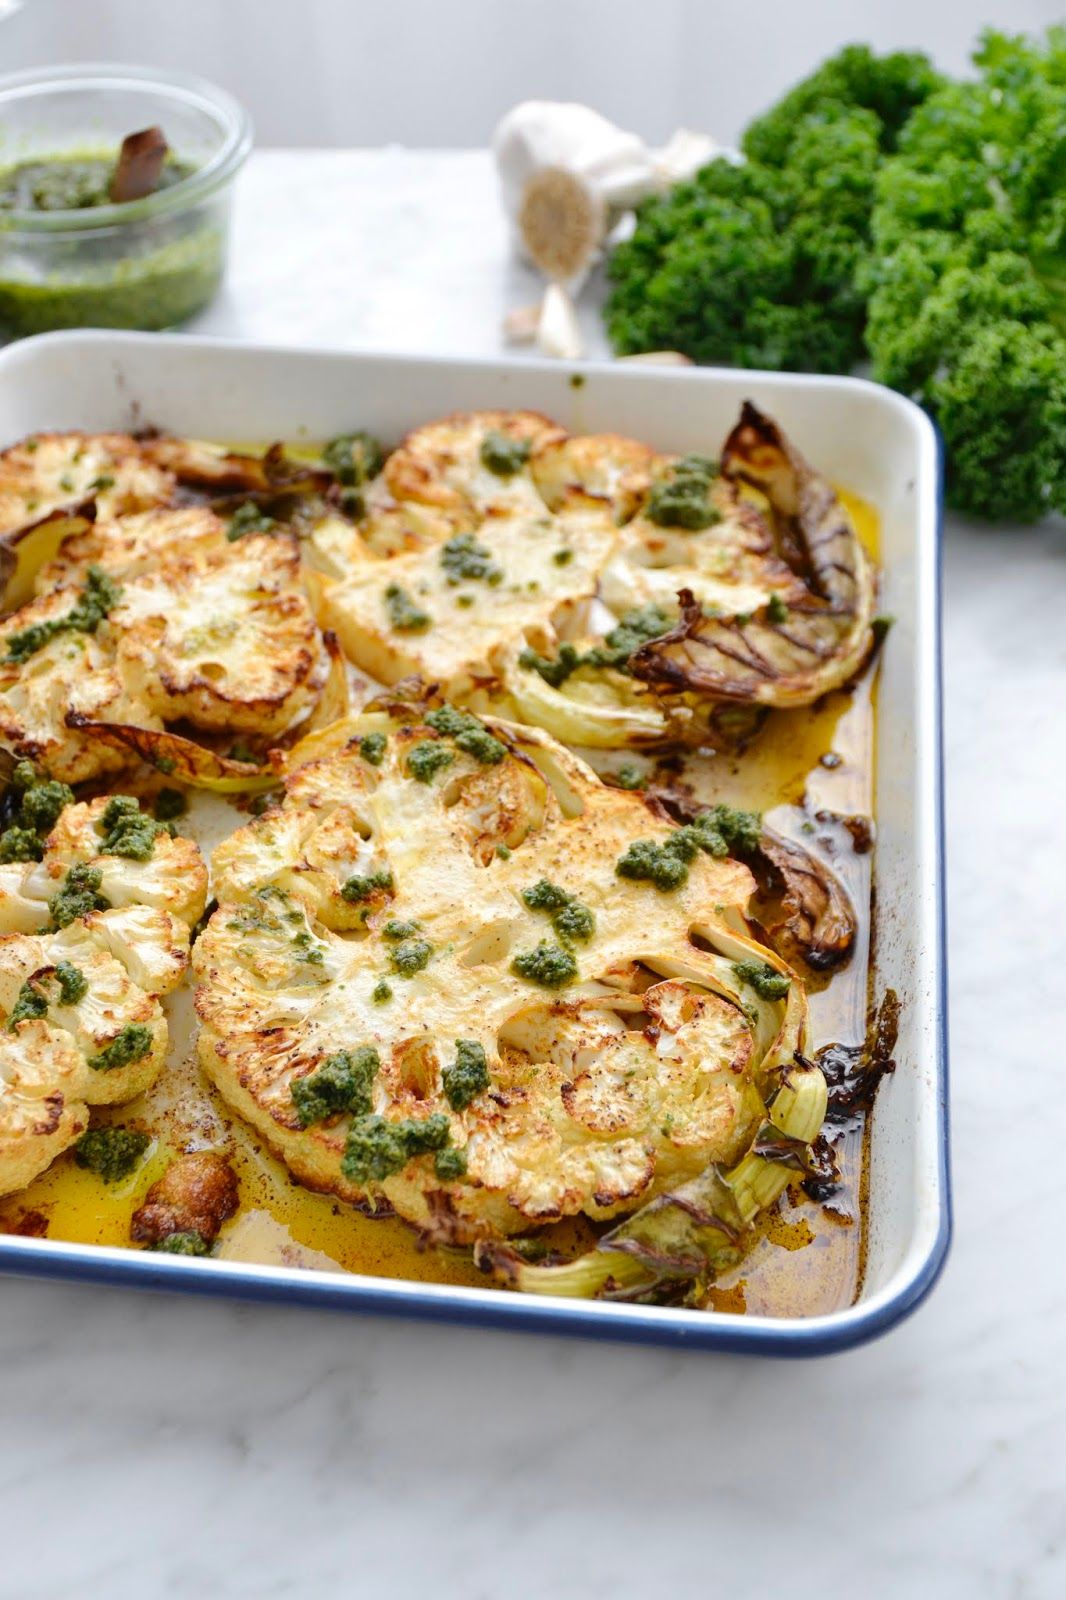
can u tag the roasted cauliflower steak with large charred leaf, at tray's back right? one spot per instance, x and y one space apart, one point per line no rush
595 588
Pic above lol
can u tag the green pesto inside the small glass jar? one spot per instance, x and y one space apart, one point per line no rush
154 273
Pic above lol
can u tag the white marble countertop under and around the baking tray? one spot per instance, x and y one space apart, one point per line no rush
159 1447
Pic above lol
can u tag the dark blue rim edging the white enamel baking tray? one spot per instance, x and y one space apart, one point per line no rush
492 1308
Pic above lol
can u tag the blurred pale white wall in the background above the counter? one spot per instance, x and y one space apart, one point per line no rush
439 73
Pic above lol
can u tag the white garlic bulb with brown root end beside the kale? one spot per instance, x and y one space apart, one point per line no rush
567 175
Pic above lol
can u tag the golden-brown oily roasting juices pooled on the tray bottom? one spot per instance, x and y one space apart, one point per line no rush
806 770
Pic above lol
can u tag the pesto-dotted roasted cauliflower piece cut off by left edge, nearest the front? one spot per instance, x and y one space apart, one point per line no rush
90 937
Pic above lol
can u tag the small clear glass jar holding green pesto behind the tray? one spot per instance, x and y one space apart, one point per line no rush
140 265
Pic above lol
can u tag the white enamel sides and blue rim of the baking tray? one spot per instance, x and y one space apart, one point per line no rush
859 434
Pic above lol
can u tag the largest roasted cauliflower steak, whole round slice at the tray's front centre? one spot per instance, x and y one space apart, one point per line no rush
439 982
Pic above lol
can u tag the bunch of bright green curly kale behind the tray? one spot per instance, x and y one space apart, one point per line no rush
886 214
